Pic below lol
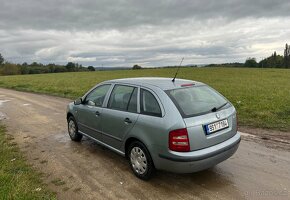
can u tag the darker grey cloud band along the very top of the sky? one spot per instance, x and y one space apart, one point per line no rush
121 14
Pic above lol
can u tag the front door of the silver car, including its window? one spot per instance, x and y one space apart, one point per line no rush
89 112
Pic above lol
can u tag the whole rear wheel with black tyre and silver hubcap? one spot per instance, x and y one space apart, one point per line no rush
140 160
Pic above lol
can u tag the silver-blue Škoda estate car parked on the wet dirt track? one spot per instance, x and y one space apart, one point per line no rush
180 126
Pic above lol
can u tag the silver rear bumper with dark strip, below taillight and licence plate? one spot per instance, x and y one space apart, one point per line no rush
180 162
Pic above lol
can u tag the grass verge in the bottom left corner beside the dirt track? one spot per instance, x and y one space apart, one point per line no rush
17 179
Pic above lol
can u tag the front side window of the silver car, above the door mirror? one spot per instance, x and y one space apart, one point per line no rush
97 96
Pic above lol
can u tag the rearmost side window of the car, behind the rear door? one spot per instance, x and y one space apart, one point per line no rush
149 104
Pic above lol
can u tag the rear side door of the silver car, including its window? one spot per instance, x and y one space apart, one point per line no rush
120 115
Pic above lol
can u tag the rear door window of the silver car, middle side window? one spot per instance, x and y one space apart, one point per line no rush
123 98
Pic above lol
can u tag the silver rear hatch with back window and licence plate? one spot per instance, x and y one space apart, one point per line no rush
208 116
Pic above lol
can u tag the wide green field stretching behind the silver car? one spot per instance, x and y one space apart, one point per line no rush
261 96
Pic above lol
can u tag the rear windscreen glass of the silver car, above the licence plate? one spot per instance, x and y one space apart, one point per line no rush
197 100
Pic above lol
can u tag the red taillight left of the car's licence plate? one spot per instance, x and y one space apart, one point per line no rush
178 140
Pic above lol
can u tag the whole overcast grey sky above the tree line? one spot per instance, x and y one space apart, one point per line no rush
145 32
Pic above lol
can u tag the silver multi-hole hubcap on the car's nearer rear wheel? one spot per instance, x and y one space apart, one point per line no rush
138 160
